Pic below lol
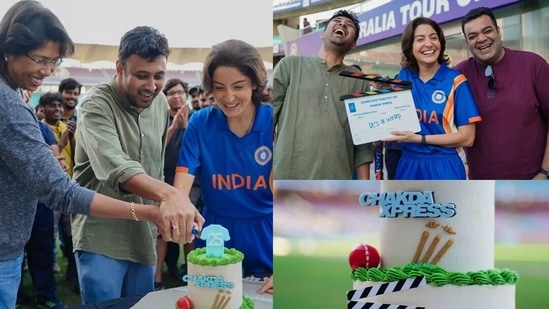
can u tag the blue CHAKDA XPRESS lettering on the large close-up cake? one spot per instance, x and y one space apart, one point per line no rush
408 204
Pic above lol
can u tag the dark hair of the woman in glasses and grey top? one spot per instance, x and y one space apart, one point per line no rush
28 25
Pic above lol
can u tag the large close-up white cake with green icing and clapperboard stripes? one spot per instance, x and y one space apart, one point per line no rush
436 249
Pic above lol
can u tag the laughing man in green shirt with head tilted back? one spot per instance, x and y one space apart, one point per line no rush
313 138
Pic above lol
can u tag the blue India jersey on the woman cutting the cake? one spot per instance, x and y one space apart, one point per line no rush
233 170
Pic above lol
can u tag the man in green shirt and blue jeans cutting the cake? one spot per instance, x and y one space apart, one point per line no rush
122 128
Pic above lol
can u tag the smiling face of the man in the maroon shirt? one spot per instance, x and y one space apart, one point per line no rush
484 39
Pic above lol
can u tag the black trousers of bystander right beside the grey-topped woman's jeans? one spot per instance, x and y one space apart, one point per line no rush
40 255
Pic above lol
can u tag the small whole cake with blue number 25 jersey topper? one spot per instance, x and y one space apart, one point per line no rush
214 273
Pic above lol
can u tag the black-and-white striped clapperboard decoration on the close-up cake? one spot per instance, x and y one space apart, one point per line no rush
356 299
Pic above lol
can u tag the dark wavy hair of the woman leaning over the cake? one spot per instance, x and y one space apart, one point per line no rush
240 55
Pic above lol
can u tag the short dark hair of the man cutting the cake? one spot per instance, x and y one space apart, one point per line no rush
144 41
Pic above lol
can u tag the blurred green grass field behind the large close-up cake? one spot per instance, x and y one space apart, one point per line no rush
320 281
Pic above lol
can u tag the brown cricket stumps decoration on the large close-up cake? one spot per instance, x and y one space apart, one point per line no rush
432 246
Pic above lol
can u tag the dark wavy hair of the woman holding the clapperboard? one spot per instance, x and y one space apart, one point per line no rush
407 42
